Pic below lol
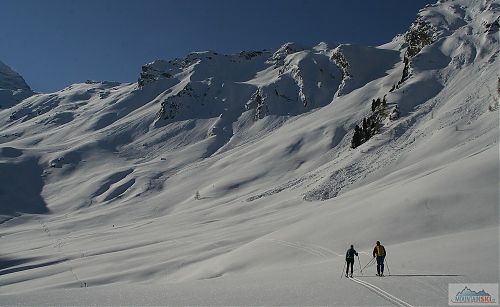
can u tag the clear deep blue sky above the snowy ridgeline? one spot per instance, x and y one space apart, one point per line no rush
54 43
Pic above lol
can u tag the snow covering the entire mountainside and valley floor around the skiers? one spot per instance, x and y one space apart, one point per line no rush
98 180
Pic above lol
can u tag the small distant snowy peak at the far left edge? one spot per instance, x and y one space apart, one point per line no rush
13 88
